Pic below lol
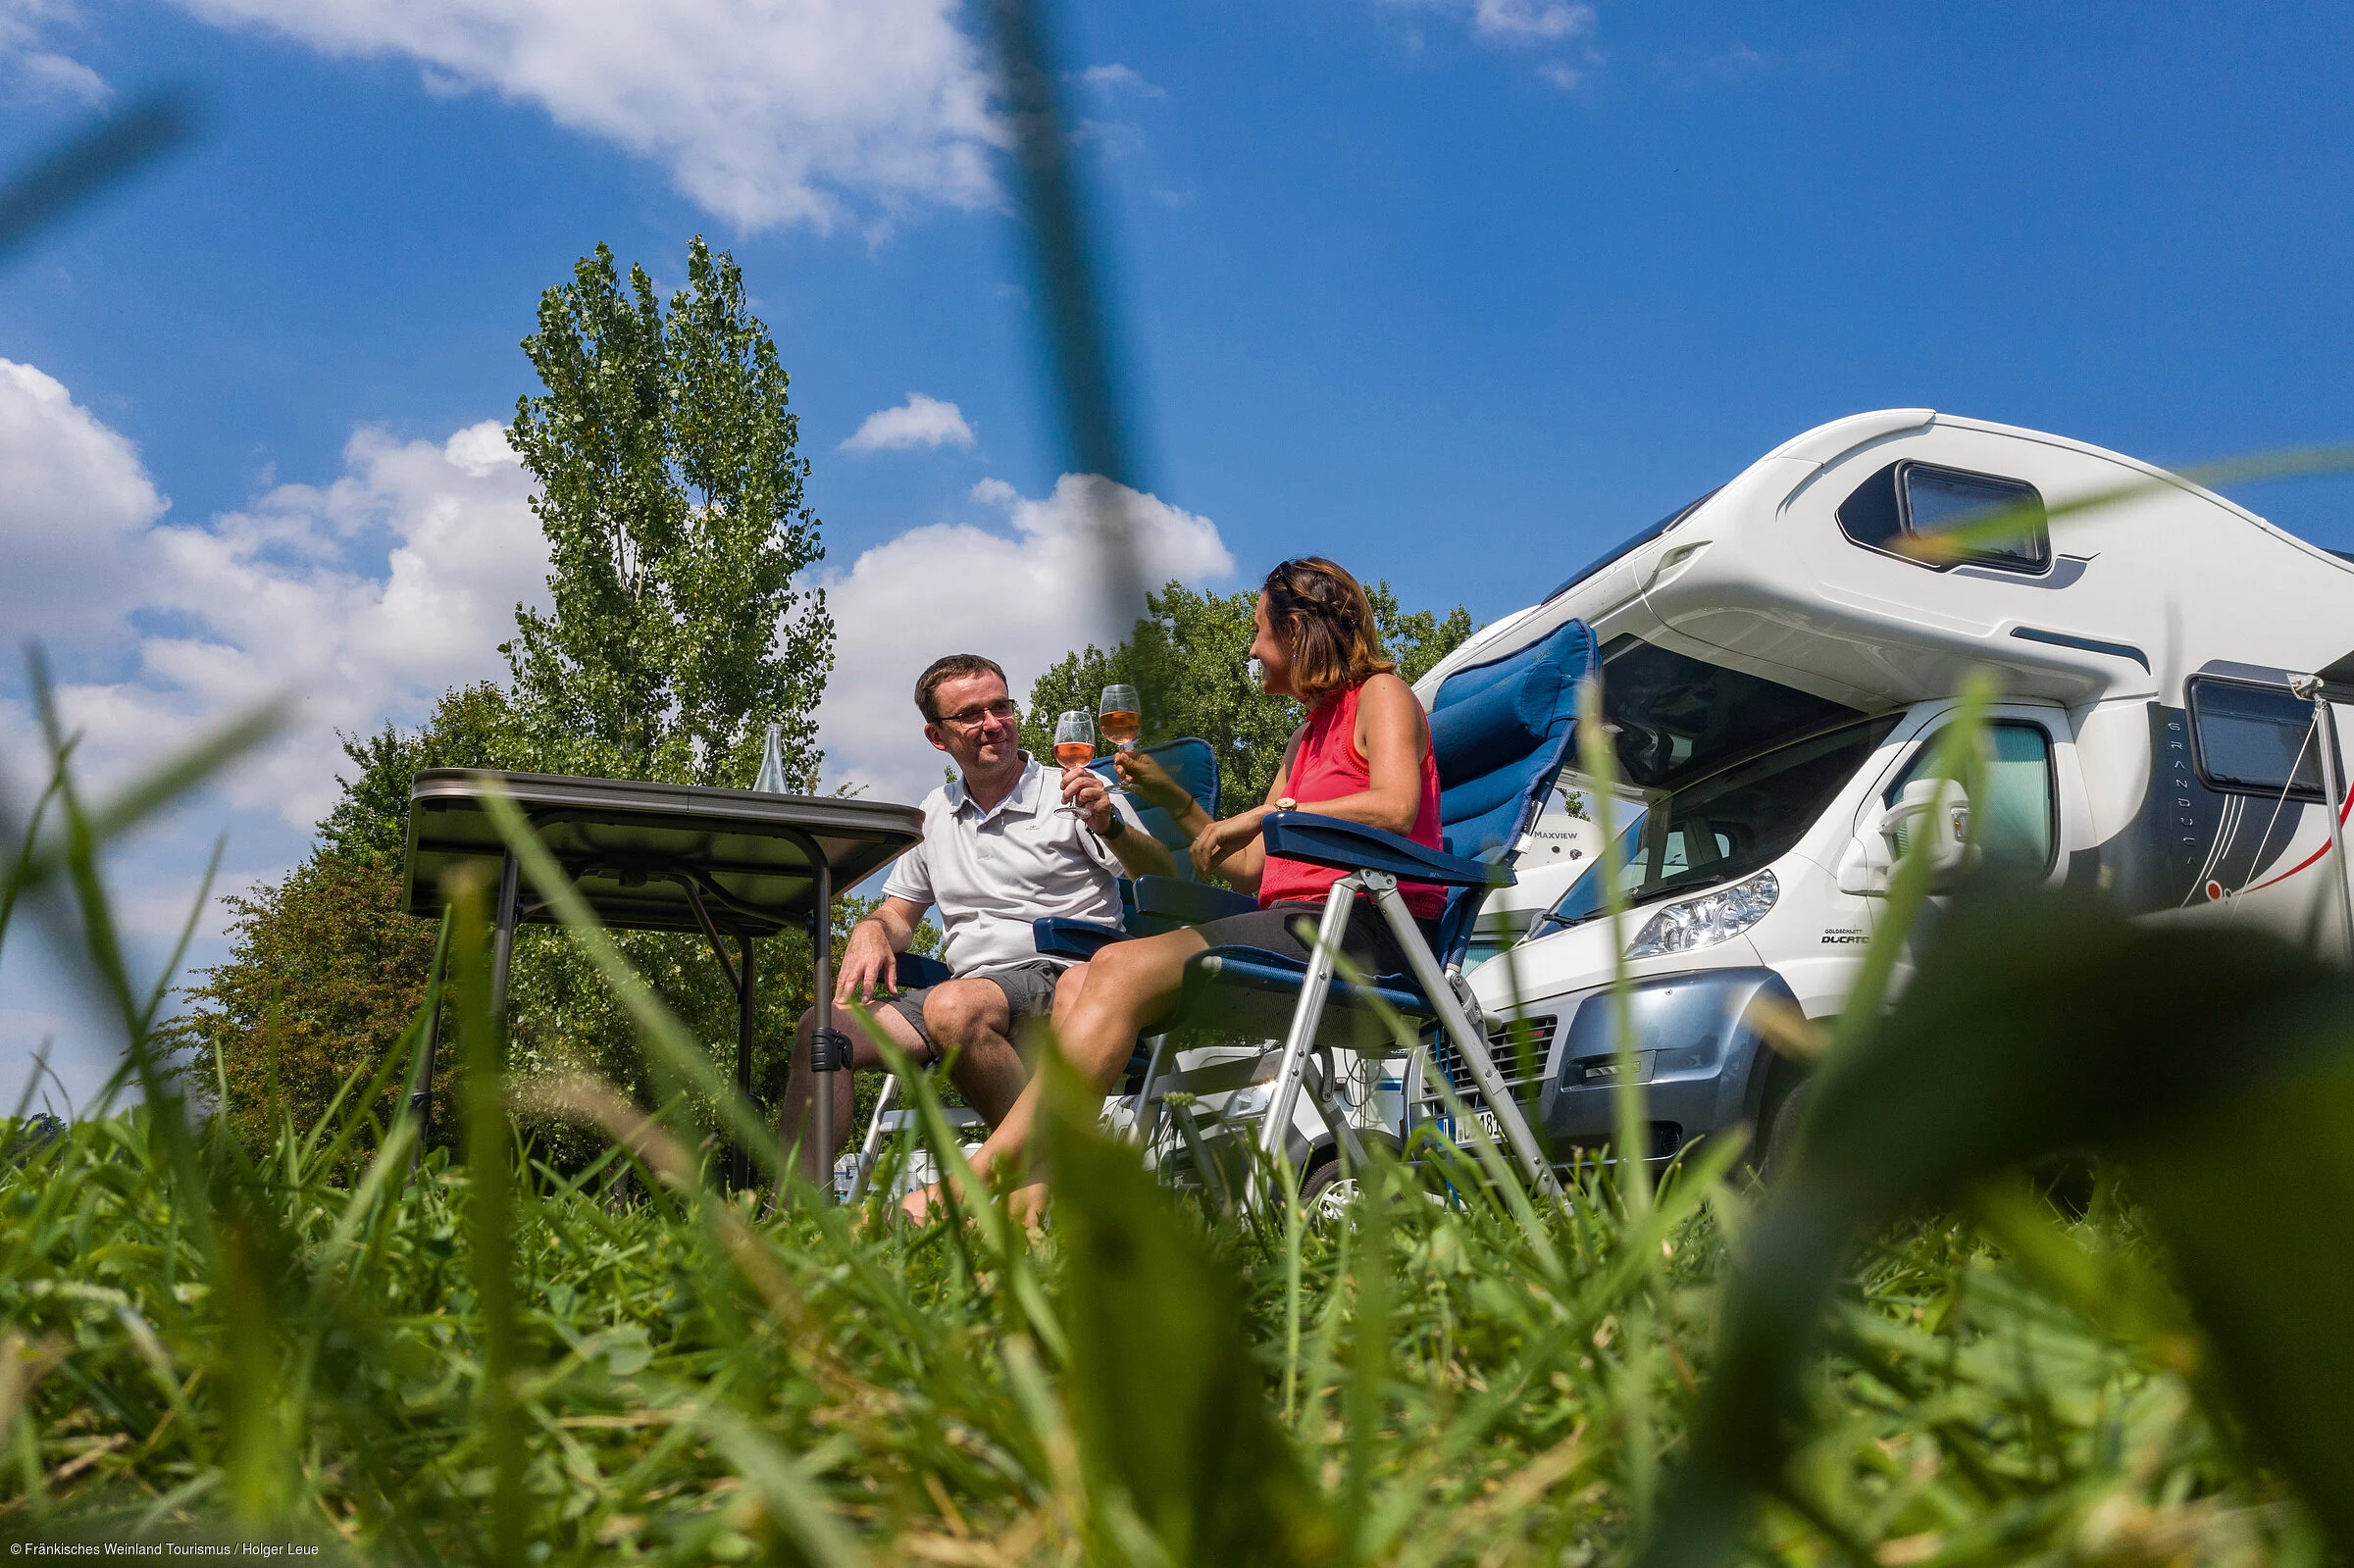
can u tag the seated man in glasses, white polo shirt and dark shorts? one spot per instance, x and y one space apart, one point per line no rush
997 853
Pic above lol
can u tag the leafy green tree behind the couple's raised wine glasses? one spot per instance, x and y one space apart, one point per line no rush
1192 660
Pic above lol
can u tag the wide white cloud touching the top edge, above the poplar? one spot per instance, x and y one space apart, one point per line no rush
766 112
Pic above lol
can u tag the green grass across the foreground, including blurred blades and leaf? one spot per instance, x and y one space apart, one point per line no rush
1899 1355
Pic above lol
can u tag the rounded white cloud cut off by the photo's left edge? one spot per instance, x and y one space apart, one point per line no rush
74 498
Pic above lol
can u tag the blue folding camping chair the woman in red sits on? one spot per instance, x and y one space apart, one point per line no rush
1501 733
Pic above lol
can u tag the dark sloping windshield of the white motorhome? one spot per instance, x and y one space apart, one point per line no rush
1729 823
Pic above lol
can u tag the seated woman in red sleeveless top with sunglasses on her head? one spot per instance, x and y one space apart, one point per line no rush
1364 755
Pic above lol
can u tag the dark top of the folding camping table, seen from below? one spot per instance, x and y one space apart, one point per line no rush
637 849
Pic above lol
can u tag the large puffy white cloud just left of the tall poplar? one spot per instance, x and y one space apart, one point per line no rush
361 599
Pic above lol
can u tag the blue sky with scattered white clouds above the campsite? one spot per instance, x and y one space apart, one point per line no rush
1458 291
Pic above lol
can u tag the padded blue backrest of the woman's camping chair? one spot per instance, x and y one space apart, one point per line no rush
1501 733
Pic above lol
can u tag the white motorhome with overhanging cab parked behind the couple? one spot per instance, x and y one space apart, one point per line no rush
1776 665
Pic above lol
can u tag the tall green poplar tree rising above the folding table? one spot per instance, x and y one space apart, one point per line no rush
670 489
